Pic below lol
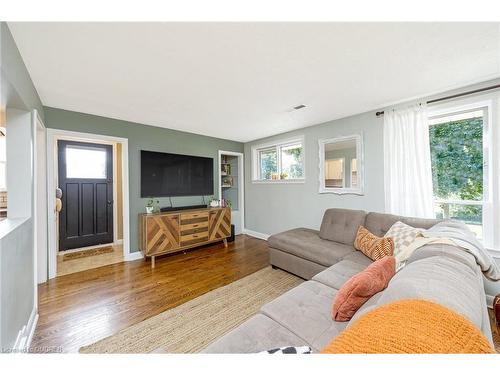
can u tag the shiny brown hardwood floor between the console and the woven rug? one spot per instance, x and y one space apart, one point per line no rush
84 307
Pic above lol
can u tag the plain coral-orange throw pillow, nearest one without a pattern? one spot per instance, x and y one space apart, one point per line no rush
361 287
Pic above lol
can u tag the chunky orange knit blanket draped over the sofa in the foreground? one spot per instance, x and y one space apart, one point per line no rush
410 326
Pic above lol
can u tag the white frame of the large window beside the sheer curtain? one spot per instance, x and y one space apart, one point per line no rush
487 205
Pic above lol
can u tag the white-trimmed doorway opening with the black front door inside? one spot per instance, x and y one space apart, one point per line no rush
88 182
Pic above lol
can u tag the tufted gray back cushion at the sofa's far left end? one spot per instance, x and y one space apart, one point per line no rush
341 225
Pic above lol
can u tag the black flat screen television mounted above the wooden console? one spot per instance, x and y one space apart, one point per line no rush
174 175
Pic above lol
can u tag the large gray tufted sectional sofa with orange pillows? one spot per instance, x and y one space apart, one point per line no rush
327 259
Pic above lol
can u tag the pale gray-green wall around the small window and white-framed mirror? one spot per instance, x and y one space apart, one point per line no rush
272 208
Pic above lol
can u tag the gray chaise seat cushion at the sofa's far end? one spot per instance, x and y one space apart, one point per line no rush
306 244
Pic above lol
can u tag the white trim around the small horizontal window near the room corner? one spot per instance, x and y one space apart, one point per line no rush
255 169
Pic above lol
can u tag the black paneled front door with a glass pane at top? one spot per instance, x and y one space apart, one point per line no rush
86 180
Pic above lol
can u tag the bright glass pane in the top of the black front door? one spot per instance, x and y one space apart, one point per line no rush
84 162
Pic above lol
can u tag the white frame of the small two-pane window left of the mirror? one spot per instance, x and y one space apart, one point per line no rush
277 145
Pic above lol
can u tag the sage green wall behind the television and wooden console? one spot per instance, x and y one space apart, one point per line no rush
143 137
